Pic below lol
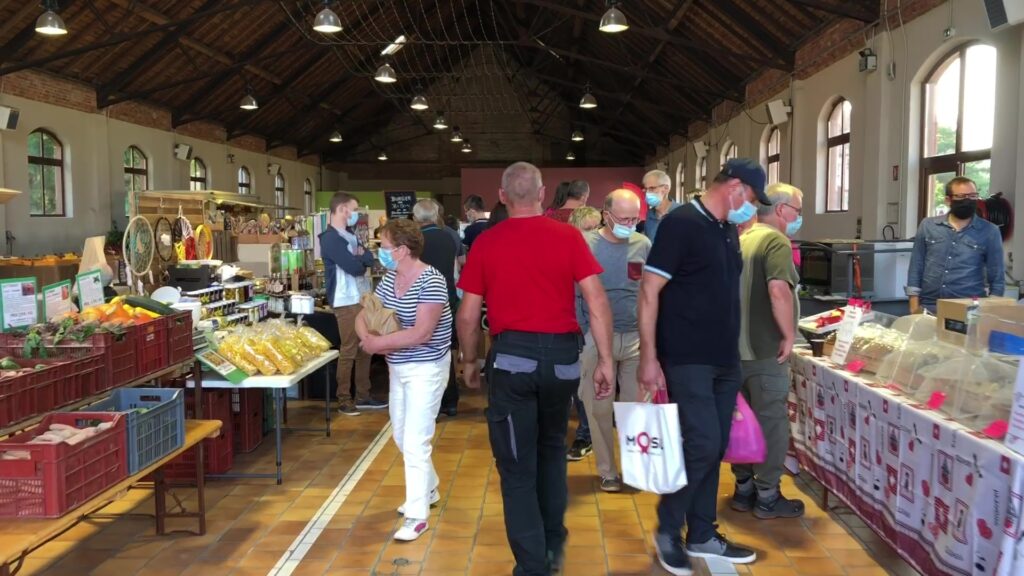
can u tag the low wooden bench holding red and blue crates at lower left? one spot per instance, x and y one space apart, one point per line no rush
20 538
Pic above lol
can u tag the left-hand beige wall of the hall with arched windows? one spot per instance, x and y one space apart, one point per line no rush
95 147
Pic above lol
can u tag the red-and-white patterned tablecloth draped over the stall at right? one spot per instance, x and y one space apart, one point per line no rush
949 500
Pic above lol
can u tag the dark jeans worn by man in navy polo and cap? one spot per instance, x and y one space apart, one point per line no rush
706 397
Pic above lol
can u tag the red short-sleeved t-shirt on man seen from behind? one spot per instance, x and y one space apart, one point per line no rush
527 271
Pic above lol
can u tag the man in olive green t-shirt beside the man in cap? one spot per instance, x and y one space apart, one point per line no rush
769 321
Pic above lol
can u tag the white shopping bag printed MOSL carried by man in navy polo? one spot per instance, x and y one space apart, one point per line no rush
651 445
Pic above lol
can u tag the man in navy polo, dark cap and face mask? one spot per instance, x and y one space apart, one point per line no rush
690 343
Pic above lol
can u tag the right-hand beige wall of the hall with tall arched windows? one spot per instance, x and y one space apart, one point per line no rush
886 125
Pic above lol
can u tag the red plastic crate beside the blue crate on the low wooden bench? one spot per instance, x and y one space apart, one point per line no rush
60 478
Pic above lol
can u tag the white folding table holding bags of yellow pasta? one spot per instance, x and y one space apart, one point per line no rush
278 384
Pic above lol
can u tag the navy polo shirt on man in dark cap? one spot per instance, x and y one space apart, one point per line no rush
699 309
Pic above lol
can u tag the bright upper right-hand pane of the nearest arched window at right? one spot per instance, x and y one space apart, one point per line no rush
979 98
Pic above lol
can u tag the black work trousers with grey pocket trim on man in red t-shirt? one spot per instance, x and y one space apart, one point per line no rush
531 379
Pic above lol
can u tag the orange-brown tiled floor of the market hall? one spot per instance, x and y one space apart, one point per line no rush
253 523
